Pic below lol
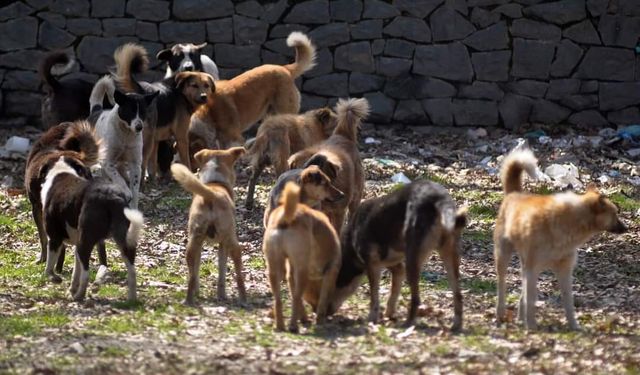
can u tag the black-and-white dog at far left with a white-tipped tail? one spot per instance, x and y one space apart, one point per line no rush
83 212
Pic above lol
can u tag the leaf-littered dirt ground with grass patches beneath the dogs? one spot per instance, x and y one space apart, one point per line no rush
43 331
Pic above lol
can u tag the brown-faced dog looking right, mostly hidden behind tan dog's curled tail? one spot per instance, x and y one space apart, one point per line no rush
315 188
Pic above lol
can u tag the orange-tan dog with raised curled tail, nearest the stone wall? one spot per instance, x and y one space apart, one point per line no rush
244 100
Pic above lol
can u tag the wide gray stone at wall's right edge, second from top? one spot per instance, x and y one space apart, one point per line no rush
611 64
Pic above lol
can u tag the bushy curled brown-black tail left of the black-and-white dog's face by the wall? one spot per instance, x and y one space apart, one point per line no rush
130 59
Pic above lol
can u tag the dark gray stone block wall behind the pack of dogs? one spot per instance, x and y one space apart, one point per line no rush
420 62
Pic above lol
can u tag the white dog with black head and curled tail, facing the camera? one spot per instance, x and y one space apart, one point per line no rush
120 132
